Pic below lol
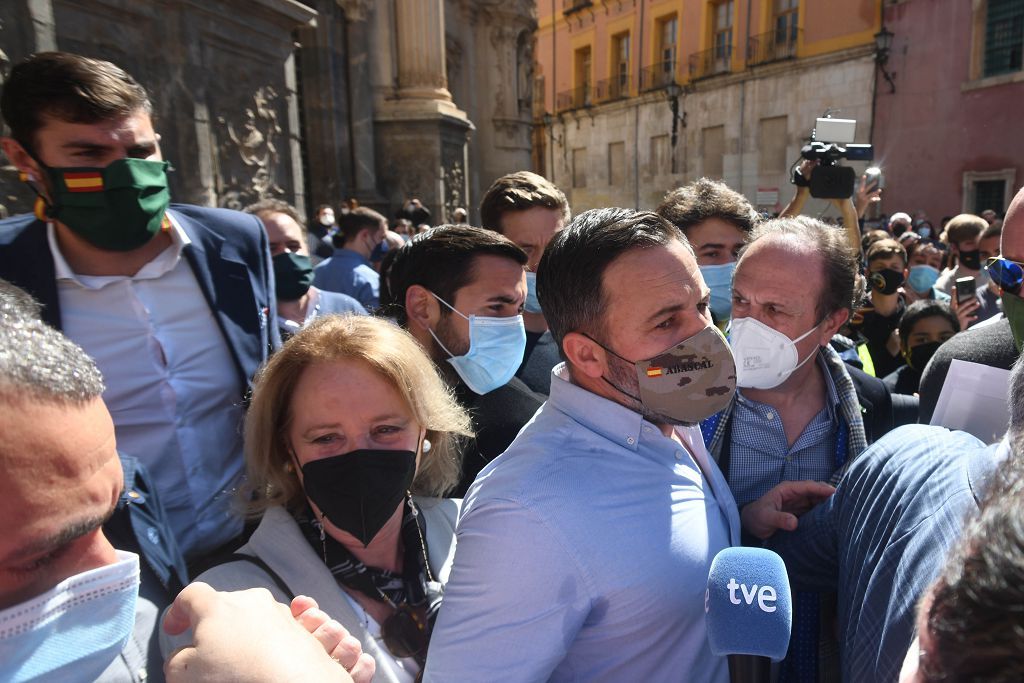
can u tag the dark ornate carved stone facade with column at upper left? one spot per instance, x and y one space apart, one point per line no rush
313 102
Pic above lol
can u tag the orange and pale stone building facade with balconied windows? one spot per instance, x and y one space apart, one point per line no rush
643 97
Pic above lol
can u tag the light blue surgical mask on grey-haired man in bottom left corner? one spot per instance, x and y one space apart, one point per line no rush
74 631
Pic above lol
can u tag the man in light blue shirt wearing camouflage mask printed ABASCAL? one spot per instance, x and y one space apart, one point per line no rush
583 551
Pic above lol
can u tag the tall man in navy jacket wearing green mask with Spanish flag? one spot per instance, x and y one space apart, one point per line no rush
176 304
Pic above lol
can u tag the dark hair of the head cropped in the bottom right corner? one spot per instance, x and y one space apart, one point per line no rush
975 616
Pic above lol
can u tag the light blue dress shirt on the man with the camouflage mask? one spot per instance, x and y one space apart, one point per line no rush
583 553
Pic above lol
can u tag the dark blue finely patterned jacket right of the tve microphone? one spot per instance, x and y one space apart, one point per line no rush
881 540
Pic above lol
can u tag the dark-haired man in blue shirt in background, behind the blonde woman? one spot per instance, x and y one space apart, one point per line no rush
361 231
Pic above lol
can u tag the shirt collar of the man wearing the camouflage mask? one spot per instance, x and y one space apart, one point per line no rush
603 416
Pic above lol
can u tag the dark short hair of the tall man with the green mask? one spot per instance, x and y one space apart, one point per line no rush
68 88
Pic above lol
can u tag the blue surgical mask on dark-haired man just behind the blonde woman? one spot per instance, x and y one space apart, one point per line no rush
496 350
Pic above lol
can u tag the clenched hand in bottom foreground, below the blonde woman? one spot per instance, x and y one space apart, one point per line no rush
245 636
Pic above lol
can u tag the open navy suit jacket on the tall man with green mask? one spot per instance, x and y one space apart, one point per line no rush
230 257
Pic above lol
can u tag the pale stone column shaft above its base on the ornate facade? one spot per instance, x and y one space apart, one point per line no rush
420 37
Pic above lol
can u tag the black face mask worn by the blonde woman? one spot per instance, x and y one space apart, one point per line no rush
360 491
